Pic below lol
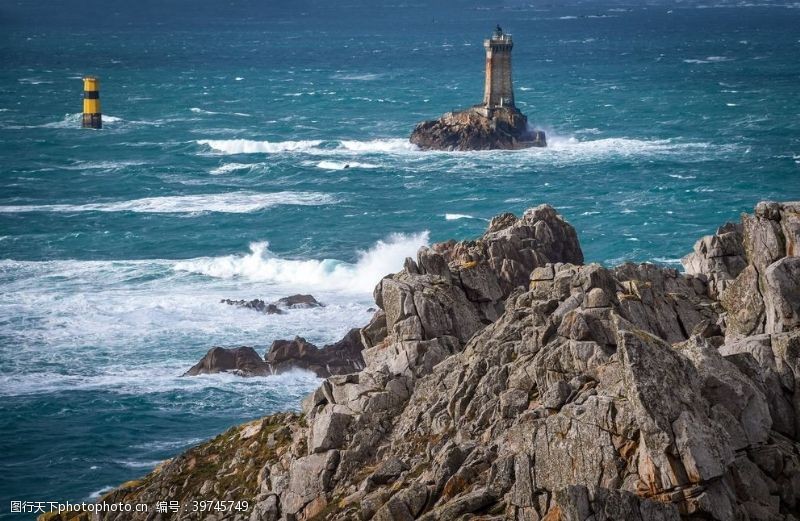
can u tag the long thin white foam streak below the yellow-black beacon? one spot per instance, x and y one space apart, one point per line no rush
231 202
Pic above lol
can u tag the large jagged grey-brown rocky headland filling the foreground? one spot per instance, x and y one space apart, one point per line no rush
505 379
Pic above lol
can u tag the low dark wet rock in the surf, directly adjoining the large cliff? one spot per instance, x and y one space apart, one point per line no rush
343 357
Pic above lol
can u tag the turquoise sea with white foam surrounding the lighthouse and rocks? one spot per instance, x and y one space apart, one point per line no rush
220 174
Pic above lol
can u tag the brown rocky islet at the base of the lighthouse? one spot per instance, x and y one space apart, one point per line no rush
471 129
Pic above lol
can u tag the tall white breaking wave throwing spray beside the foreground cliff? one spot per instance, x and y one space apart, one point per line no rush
261 265
